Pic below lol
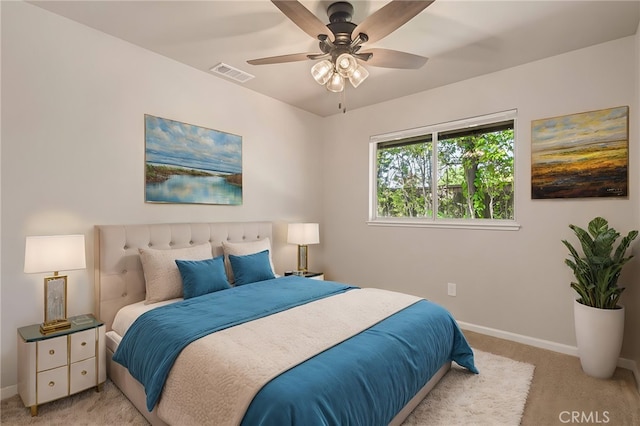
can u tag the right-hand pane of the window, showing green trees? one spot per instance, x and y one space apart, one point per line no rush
475 173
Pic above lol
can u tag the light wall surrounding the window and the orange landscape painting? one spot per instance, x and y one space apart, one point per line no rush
515 281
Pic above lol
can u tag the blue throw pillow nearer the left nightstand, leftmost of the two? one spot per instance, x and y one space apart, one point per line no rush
202 276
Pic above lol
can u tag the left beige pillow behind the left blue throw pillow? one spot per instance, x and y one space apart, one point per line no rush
161 275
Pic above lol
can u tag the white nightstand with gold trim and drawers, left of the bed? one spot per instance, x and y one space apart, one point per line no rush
55 365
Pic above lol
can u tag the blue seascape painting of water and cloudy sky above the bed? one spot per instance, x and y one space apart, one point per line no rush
191 164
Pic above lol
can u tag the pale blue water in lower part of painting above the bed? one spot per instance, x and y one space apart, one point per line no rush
194 189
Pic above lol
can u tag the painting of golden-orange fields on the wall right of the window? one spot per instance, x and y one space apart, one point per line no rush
581 155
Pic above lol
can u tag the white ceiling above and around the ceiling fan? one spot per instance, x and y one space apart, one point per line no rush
463 39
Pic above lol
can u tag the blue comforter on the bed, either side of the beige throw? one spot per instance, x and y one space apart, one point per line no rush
365 380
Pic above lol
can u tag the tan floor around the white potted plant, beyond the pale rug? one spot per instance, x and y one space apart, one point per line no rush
561 394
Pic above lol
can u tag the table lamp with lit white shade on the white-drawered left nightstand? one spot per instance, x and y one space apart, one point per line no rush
53 254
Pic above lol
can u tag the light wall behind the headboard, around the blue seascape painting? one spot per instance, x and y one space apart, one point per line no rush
73 105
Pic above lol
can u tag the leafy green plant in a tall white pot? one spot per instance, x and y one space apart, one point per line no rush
599 320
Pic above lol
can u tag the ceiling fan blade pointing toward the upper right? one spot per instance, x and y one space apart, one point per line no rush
388 18
